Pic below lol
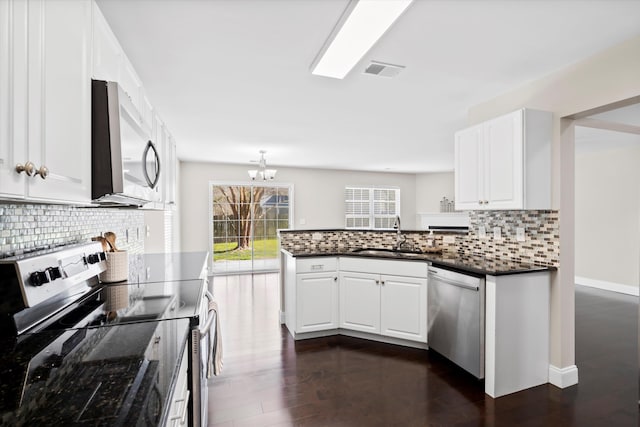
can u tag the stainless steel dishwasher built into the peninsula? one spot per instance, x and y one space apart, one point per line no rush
456 318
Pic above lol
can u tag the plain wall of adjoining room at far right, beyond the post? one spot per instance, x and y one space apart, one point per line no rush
607 207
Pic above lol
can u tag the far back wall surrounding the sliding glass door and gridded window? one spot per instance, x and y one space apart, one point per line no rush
318 196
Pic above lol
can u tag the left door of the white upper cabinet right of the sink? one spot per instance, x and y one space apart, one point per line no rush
469 191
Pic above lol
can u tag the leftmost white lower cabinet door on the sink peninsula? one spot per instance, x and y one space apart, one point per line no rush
317 302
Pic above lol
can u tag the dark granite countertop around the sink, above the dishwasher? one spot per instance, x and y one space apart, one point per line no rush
476 264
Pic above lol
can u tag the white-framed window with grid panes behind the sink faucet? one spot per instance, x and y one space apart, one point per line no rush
371 207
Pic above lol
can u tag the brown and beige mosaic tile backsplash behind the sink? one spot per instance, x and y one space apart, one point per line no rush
541 246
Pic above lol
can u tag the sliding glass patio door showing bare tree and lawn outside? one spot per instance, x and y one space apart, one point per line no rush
244 223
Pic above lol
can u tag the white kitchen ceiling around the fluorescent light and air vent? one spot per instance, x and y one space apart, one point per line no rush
231 77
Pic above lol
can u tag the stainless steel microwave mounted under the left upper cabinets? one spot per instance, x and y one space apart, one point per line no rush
125 162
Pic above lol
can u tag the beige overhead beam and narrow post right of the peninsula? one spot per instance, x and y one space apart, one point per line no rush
605 78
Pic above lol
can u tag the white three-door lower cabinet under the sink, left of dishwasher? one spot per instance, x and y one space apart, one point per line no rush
374 296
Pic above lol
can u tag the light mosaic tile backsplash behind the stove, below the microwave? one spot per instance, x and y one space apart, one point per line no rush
27 227
